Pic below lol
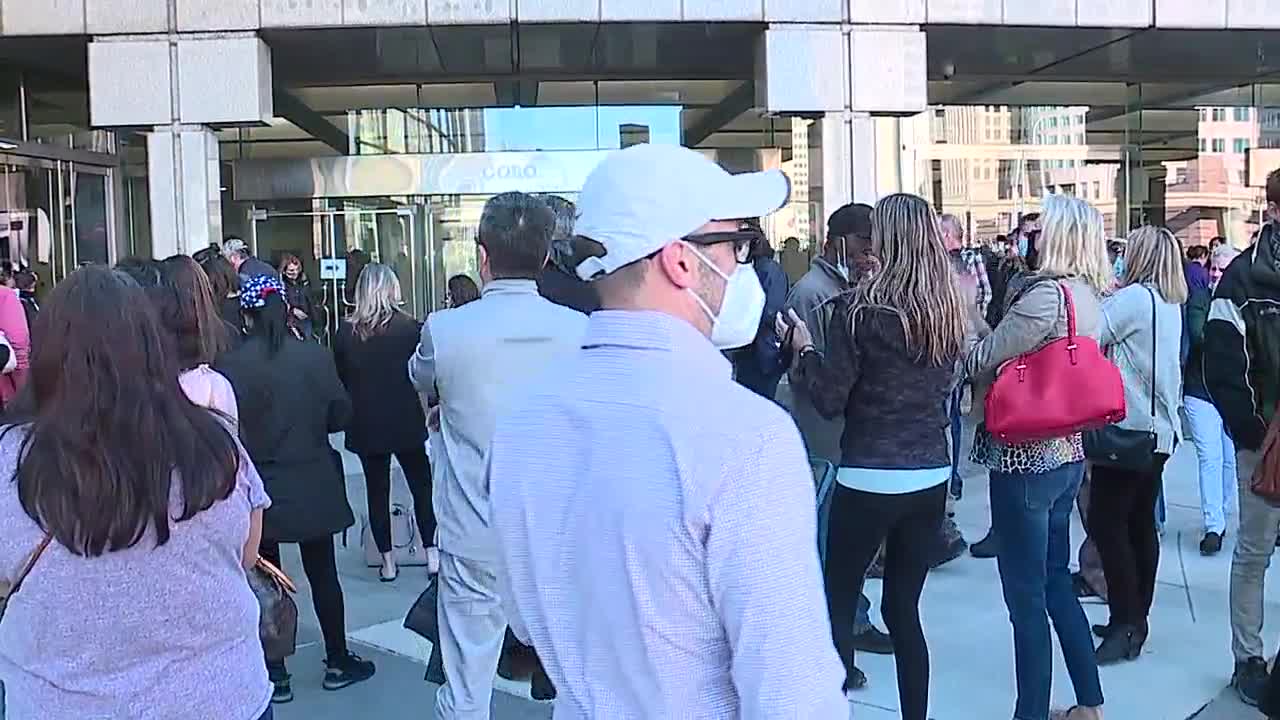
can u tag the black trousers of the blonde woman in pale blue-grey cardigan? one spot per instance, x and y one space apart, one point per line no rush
1123 526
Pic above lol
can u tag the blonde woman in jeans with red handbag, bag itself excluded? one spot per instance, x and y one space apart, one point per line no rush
1034 485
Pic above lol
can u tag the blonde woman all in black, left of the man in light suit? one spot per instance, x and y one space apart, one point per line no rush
373 349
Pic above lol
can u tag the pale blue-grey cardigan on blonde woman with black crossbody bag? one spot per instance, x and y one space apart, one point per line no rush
1130 338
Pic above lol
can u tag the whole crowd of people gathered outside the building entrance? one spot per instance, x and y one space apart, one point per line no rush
611 444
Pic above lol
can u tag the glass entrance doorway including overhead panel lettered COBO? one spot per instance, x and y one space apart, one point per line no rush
420 215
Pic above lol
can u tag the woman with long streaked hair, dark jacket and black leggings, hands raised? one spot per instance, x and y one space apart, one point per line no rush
888 368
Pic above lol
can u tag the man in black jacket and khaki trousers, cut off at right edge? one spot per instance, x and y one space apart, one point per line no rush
1242 376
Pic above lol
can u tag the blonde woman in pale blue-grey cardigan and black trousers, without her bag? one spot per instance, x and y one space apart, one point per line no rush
1142 326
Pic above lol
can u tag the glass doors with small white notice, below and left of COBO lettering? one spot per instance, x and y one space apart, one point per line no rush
335 244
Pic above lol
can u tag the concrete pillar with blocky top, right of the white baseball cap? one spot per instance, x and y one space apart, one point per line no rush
858 80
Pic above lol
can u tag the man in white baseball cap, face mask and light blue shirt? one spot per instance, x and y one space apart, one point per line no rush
656 520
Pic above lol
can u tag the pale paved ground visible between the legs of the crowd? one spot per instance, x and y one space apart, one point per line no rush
1183 671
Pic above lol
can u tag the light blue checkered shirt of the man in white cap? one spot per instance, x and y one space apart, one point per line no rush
657 530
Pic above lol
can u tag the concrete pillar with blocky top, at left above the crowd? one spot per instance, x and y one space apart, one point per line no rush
180 85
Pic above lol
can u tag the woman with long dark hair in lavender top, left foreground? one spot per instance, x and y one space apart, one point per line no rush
148 514
